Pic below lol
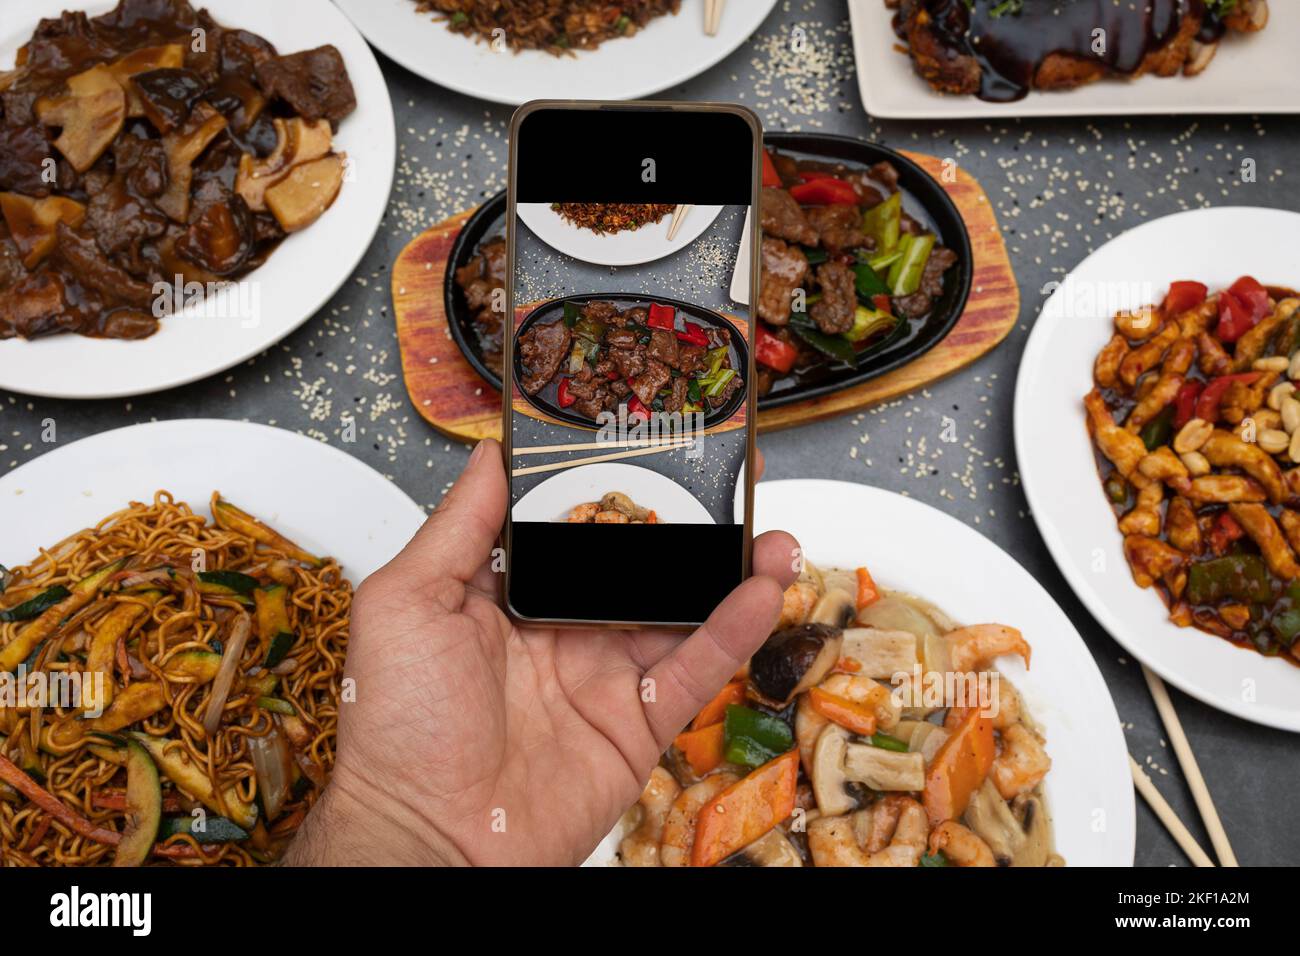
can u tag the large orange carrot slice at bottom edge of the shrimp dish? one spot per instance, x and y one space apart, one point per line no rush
746 811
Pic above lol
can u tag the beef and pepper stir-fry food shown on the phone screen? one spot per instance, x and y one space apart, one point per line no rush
647 358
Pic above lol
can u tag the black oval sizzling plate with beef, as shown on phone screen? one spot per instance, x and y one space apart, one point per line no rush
630 354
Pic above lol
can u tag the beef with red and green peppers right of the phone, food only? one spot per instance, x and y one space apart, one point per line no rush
843 265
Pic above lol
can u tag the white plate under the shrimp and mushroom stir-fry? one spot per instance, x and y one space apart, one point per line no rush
916 548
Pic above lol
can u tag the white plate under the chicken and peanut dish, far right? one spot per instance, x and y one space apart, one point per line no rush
1056 460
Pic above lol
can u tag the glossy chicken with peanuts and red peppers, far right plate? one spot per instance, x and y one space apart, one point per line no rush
1197 425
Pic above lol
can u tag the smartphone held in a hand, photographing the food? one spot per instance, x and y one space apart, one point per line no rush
629 400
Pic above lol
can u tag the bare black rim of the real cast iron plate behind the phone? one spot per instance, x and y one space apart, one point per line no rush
924 200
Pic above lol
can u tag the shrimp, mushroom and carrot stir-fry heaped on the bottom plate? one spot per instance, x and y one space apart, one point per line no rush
821 752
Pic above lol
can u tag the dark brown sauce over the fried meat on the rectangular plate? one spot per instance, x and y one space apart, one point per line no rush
1011 47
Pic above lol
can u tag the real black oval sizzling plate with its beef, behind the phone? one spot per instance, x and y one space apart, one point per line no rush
804 361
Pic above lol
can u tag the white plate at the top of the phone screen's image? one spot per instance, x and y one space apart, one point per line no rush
629 248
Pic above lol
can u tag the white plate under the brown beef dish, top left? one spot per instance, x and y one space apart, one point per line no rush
274 301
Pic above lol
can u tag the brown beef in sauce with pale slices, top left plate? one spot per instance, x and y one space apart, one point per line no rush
131 154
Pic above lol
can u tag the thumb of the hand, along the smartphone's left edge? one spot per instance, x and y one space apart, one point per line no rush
460 537
